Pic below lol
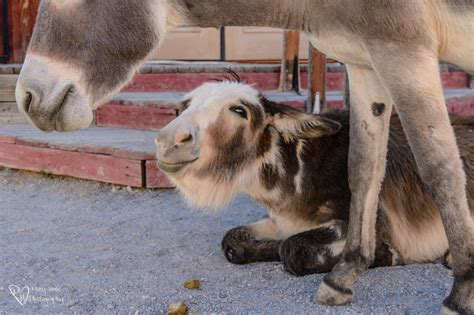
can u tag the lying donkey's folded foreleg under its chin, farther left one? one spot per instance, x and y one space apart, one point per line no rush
252 243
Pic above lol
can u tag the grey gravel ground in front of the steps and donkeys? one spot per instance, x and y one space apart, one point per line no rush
92 248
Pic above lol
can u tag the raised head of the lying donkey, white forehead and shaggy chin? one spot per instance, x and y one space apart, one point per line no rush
227 131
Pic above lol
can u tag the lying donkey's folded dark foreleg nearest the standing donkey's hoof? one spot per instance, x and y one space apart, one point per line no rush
314 251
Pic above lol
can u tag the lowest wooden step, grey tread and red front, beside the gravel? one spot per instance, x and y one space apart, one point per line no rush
117 156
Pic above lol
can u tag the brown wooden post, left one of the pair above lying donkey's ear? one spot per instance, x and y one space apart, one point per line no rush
290 69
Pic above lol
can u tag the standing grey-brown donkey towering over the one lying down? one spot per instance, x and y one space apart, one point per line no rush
83 50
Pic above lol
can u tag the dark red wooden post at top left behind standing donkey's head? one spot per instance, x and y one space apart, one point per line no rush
22 18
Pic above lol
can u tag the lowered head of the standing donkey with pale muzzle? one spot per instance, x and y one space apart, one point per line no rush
81 52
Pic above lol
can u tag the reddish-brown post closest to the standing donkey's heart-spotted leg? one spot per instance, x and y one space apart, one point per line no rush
316 101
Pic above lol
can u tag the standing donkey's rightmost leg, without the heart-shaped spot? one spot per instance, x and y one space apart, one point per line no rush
418 95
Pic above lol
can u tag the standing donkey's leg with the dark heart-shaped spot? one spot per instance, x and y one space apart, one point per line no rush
371 108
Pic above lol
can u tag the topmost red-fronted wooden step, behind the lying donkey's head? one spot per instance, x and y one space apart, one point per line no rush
171 76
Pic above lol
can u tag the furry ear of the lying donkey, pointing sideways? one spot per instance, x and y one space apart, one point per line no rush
294 124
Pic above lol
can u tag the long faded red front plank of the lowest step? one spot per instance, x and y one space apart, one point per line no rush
102 168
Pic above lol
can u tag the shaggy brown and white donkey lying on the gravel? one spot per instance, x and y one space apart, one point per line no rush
231 140
